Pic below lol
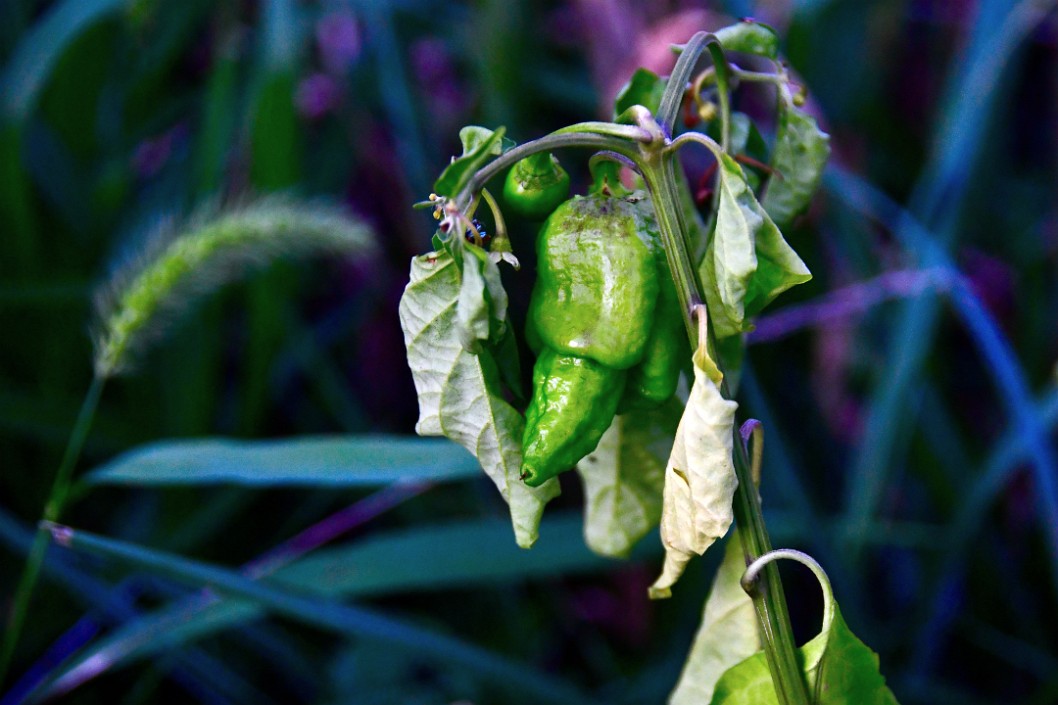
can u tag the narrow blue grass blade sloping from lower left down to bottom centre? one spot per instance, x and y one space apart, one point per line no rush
324 614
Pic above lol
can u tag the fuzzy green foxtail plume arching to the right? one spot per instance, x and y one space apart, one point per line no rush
213 248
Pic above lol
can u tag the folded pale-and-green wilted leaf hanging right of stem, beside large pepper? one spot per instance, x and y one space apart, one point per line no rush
747 263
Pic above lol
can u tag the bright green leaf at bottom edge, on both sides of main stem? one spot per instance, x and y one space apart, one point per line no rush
840 670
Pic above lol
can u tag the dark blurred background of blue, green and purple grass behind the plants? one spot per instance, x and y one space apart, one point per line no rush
892 454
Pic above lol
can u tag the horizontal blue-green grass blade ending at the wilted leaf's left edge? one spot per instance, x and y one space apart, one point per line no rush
335 462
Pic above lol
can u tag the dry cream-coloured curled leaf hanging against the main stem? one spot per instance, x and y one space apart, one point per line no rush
700 481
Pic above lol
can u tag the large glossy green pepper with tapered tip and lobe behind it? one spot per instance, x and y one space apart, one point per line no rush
603 317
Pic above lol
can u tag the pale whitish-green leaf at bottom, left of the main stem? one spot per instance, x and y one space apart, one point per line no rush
728 634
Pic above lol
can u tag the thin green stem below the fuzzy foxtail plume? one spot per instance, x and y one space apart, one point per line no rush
53 509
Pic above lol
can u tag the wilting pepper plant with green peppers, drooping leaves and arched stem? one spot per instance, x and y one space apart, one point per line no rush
636 287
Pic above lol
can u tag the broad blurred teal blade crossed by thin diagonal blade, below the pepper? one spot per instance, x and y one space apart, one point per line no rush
461 555
